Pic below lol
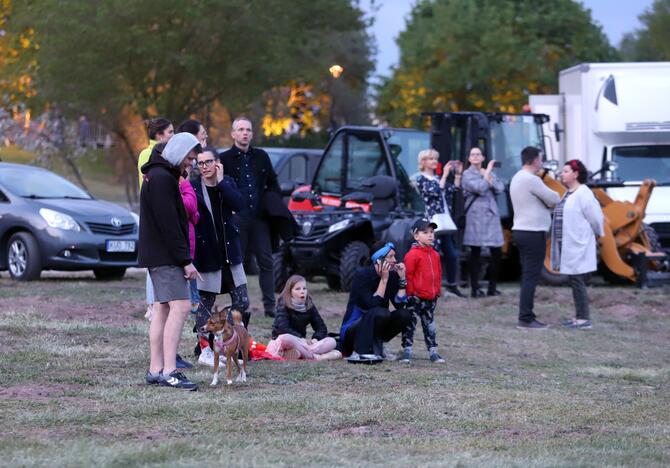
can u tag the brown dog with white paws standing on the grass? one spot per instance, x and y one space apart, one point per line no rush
229 339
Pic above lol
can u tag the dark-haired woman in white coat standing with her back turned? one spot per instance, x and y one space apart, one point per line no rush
578 220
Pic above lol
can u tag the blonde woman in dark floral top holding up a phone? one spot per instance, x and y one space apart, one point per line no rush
437 194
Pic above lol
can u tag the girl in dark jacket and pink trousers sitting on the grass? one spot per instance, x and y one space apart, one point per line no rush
295 310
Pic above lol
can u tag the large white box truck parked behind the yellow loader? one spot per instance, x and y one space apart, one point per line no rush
615 112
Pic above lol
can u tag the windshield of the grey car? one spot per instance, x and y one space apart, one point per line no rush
31 183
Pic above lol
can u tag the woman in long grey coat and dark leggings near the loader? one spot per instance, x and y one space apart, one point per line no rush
482 227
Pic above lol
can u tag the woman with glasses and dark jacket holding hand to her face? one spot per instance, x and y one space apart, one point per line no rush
217 253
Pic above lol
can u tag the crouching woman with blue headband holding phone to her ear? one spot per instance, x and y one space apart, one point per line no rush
368 322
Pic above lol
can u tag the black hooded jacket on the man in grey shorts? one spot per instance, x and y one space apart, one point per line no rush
163 221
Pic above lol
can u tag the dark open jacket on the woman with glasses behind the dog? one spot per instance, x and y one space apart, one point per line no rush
208 255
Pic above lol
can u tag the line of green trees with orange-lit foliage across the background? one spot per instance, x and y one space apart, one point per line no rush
118 62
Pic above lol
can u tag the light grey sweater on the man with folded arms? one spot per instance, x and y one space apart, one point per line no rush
532 202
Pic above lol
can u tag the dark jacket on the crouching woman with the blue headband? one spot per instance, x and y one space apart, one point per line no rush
363 287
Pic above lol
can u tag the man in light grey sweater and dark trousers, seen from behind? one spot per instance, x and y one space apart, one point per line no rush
532 202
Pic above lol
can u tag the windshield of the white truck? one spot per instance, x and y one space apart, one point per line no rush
637 163
